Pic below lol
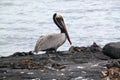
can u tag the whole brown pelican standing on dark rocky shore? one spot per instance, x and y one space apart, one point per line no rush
53 41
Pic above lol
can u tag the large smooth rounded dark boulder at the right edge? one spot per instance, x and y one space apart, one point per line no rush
112 50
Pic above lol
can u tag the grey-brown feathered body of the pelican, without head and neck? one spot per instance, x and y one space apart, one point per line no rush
50 41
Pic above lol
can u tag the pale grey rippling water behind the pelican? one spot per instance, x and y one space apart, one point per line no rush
88 21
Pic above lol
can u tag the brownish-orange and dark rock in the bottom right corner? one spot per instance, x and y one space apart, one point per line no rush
113 70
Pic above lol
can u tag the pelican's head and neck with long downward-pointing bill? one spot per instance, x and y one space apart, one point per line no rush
59 21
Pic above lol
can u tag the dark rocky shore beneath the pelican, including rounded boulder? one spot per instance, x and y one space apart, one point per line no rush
78 63
